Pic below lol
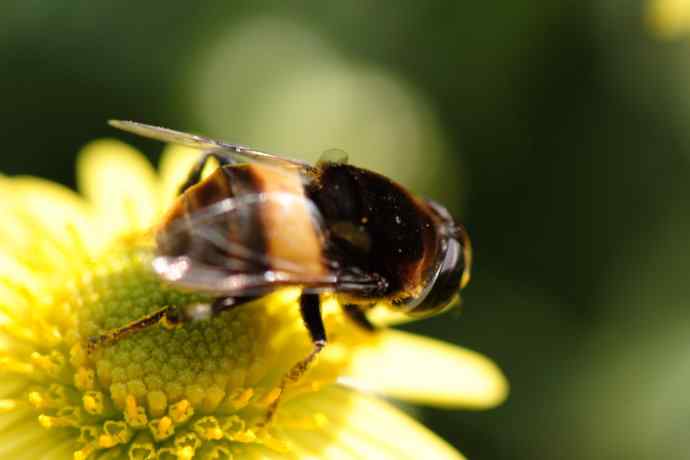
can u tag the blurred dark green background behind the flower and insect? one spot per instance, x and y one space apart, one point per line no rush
558 131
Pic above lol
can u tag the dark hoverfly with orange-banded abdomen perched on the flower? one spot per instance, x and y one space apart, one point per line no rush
262 221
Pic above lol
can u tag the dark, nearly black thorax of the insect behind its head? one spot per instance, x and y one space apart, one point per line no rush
376 226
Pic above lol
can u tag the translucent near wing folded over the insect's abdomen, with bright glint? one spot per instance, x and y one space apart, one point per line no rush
217 249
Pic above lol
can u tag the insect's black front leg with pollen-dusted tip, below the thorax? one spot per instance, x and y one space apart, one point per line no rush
310 308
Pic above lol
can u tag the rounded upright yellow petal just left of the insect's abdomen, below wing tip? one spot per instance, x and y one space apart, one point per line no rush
121 184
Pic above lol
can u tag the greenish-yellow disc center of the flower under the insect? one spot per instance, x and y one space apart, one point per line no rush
200 390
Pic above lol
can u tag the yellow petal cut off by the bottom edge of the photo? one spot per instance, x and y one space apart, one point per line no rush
356 426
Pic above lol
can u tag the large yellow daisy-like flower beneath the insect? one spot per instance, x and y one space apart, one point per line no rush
71 267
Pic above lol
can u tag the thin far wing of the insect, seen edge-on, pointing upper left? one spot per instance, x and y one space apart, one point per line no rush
204 143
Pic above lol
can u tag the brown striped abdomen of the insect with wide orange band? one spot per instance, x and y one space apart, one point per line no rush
271 226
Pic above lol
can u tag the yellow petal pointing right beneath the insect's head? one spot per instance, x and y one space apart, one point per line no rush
427 371
